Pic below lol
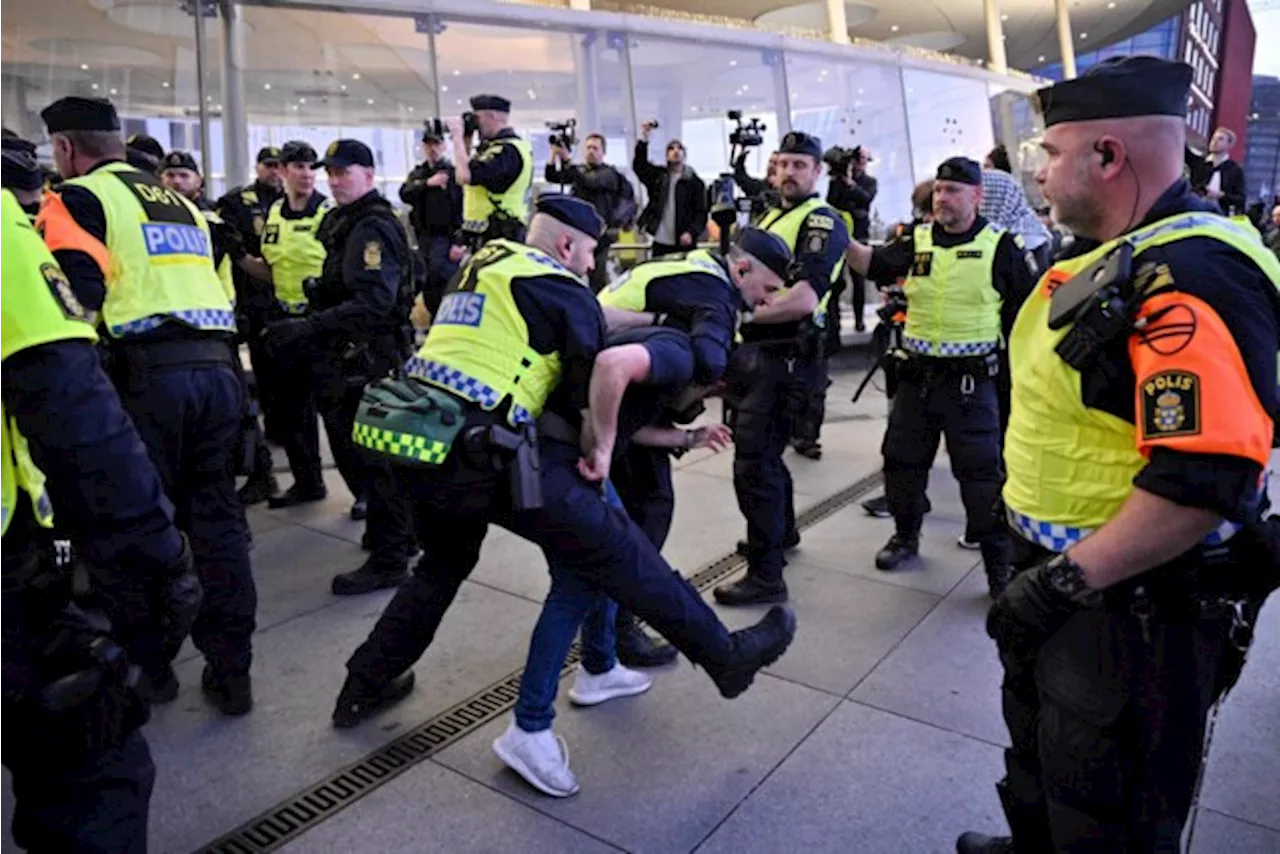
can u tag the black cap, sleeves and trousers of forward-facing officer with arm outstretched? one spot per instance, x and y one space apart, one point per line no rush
953 396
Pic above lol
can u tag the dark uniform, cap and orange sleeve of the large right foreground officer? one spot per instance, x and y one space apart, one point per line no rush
1107 695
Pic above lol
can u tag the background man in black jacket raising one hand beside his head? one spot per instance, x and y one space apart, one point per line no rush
676 214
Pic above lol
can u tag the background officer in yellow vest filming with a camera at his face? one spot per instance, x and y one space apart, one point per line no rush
497 180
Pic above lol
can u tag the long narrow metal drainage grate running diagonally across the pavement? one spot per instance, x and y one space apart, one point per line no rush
289 820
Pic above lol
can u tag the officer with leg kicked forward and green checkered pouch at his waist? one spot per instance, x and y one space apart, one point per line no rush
514 344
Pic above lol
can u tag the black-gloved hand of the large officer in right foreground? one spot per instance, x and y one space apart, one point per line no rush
1037 604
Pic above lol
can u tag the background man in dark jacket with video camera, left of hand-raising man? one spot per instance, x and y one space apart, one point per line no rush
601 186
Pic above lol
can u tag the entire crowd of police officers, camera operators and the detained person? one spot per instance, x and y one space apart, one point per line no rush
1109 407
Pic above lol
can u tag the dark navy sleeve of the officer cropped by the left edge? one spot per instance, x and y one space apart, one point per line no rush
107 495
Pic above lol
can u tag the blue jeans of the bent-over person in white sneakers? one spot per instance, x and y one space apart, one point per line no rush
573 602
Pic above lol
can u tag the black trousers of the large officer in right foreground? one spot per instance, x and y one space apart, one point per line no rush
1108 723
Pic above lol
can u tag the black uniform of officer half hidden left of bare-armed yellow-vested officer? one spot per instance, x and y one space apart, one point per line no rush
245 209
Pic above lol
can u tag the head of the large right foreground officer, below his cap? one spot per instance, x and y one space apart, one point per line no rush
1103 177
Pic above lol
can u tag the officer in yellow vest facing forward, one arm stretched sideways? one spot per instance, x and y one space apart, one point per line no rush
966 280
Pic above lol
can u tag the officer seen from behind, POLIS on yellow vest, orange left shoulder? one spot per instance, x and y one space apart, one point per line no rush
140 255
